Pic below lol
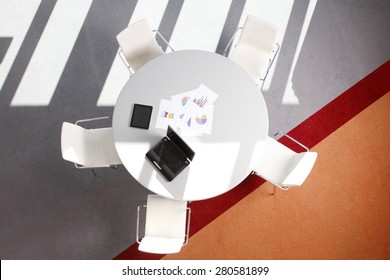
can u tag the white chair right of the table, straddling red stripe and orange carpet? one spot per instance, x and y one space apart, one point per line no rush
282 166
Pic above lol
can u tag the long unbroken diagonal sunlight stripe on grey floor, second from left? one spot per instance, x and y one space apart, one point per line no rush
49 59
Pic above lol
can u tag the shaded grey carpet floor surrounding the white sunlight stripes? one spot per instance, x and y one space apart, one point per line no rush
50 210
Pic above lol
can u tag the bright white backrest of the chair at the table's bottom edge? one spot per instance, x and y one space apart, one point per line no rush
160 245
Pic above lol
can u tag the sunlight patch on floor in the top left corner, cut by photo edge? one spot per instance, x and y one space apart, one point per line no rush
15 20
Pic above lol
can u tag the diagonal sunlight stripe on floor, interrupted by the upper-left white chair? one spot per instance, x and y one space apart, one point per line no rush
118 75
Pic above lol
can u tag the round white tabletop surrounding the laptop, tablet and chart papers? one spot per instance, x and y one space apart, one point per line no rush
223 158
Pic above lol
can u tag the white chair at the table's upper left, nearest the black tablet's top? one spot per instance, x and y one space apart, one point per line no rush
138 45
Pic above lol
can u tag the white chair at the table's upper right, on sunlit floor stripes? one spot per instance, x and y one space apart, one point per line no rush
256 47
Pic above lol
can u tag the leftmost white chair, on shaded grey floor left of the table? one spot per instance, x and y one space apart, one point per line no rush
88 148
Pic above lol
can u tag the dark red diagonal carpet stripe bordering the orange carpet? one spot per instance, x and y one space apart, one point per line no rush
310 132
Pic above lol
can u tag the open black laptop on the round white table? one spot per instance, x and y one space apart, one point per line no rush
171 155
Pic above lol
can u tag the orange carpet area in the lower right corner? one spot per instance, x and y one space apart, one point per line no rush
341 212
